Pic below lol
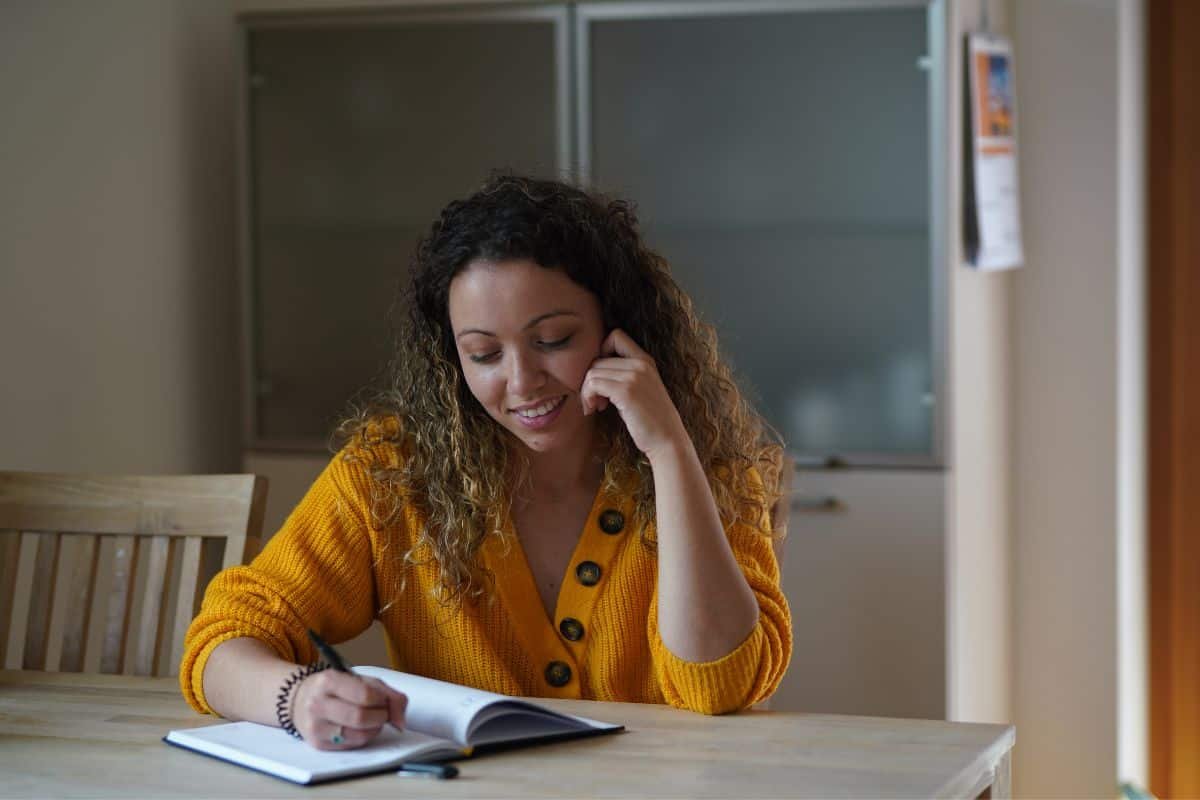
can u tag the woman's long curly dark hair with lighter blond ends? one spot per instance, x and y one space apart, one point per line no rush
459 466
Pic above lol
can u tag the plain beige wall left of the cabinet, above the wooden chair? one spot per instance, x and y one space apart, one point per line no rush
117 244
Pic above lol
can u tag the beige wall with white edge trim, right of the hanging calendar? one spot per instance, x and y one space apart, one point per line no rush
1077 408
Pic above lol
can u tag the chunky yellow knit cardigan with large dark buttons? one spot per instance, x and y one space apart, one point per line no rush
332 570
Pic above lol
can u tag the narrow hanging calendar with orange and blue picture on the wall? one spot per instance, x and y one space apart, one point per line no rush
992 226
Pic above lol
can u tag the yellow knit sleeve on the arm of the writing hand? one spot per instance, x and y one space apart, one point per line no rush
315 573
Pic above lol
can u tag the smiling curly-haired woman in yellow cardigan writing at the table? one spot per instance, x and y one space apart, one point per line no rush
561 495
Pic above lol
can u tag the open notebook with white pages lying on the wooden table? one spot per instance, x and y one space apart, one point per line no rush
443 723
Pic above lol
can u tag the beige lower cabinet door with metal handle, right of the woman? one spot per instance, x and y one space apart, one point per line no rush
865 576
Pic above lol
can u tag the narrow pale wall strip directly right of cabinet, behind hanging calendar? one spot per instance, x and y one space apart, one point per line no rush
979 495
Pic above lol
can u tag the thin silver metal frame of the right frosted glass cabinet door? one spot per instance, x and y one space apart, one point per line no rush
587 14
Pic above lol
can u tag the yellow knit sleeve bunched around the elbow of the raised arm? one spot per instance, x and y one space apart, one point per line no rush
752 672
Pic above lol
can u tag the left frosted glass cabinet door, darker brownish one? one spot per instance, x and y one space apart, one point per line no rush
359 133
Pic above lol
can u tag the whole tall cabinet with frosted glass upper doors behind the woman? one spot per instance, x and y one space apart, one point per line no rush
787 158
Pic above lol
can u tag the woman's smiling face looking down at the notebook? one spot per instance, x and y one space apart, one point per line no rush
526 338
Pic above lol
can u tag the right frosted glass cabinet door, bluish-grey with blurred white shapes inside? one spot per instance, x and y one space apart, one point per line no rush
781 159
